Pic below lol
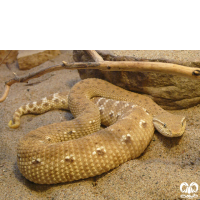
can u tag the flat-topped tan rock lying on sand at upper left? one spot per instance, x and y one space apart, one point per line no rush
28 59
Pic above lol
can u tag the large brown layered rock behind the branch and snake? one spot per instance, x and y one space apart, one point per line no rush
169 91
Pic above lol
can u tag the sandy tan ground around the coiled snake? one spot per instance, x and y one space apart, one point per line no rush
157 174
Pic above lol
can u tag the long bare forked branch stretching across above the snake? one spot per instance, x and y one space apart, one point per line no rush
100 64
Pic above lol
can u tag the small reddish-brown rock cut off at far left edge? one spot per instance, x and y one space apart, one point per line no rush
11 57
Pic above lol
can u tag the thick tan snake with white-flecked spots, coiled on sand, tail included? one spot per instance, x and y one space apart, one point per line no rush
80 148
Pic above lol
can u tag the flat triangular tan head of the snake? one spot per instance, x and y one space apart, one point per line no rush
170 125
